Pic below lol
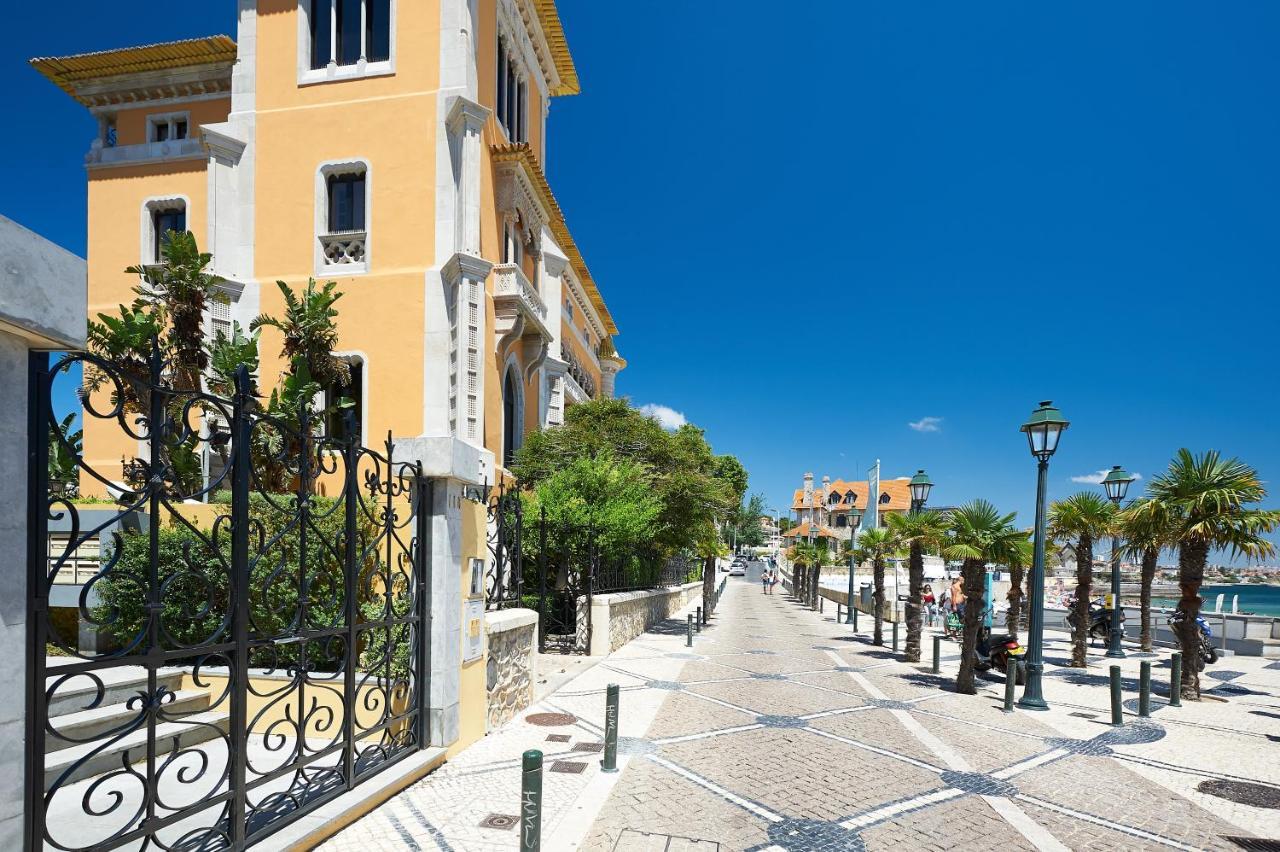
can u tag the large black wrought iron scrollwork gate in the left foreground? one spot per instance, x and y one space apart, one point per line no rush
253 651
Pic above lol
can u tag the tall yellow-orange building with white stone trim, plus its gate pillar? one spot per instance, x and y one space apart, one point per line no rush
399 149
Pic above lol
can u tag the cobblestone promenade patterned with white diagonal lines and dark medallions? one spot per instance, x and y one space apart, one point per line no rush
792 732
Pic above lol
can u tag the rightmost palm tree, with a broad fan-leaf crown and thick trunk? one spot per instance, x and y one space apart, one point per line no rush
1206 503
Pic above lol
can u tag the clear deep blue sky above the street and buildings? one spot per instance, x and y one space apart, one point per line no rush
819 223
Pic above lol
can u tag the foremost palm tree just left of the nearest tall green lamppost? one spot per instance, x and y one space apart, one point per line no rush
980 534
